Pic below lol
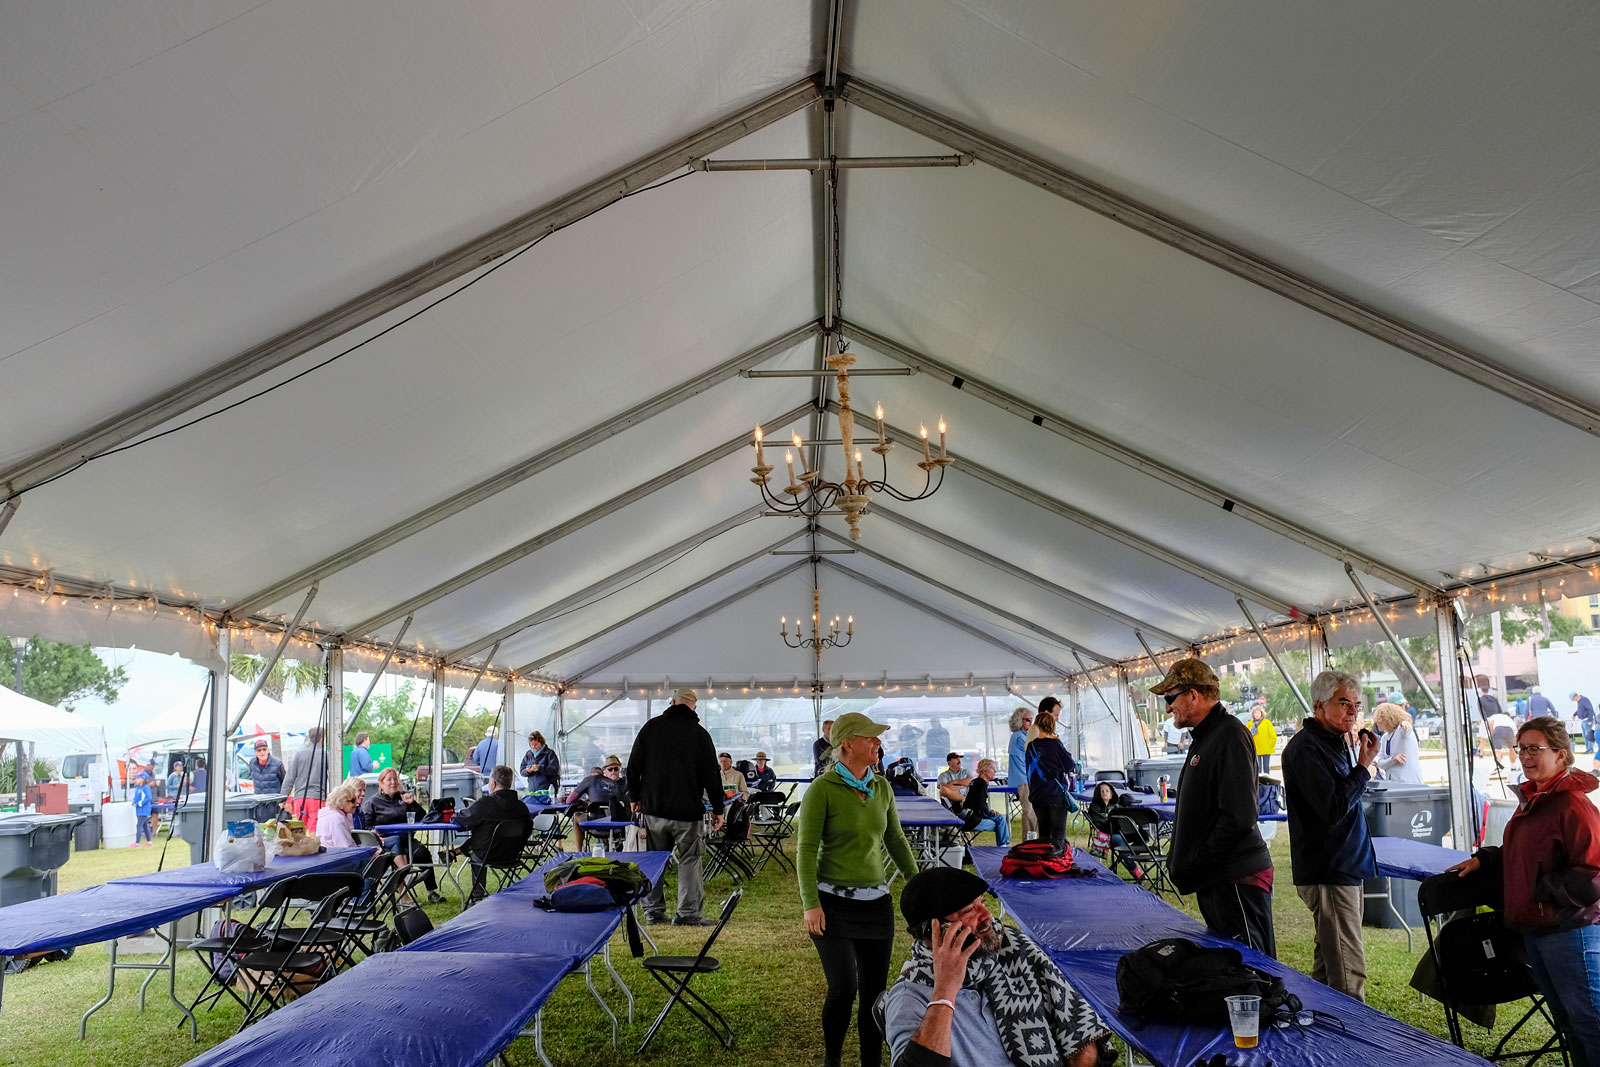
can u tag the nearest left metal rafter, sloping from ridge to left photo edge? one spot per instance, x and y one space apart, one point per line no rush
407 287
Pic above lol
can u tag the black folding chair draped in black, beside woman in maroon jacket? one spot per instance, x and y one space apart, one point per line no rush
1478 961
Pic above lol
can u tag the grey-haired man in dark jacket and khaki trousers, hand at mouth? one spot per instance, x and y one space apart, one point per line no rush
1326 772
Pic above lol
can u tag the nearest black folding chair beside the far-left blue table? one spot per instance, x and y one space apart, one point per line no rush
300 957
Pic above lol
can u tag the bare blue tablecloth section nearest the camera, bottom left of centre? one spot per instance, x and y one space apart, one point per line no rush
442 1009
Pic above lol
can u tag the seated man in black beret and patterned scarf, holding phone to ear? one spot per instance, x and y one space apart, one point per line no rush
975 991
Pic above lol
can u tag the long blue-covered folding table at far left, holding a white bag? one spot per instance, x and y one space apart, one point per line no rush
156 901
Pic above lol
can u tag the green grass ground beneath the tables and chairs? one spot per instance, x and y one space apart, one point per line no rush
770 988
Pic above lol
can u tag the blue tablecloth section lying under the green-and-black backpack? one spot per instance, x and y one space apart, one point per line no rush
510 921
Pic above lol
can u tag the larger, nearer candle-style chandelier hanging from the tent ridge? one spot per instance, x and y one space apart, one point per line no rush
810 495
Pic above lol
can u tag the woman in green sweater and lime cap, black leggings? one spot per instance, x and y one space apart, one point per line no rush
847 820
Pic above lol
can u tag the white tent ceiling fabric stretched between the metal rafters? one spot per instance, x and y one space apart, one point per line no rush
191 185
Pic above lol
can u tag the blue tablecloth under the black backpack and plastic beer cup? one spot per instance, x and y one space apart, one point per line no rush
1089 924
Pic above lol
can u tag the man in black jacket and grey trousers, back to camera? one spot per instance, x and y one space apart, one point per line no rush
671 775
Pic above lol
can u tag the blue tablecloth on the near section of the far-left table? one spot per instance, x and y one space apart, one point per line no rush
100 914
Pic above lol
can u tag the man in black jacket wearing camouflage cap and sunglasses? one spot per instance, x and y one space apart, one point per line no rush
1217 852
